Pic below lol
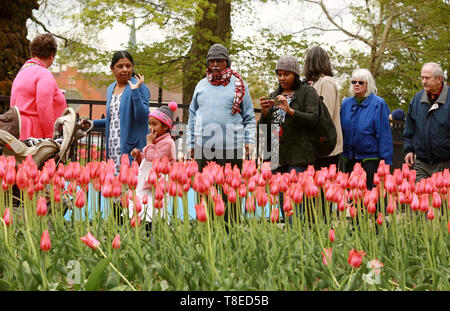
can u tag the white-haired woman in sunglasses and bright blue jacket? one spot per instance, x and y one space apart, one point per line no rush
365 126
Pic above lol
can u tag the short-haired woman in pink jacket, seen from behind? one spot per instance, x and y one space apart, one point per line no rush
35 92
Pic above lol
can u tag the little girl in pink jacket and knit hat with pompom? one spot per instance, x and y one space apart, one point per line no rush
159 144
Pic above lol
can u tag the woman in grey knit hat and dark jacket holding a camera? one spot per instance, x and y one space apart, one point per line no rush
294 113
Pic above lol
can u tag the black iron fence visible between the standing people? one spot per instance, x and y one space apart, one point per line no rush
92 147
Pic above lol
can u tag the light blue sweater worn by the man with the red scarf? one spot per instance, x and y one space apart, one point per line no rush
211 121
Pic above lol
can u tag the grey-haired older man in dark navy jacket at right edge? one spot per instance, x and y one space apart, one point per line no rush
427 129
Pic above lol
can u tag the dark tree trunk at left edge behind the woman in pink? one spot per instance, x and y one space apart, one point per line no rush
14 45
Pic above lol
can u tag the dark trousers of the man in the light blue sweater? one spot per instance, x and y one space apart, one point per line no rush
234 157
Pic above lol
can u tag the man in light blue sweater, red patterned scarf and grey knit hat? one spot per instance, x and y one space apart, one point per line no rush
221 116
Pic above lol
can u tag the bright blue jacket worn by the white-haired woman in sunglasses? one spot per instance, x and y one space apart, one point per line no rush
366 129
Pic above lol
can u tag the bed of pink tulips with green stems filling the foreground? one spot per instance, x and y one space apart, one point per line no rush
340 237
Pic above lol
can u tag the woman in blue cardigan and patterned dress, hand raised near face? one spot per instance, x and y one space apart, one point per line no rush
127 100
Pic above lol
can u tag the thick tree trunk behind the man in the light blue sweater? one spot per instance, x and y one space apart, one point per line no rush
208 30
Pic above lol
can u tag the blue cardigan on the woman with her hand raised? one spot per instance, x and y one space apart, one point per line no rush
133 112
